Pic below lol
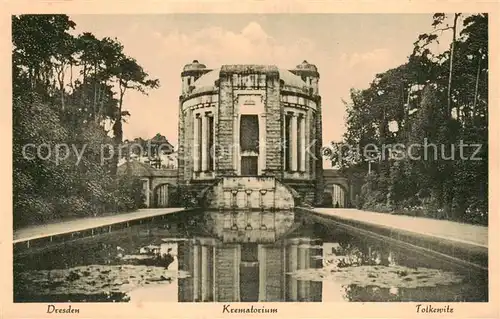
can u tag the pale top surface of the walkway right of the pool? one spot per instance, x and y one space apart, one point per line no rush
443 229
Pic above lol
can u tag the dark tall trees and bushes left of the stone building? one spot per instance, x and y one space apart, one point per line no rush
63 96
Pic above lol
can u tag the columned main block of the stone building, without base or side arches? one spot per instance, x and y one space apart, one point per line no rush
251 120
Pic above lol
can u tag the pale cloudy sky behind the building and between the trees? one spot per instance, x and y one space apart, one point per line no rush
348 49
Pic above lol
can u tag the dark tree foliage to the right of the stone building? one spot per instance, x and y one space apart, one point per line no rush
439 98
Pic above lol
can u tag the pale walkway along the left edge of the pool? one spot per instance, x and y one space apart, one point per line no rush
53 229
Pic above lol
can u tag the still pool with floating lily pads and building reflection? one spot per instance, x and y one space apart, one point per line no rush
244 256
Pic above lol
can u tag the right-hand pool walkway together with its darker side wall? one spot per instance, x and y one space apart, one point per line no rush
455 244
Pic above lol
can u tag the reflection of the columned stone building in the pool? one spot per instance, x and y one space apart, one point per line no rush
238 265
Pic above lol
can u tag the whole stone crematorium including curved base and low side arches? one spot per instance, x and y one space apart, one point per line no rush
285 107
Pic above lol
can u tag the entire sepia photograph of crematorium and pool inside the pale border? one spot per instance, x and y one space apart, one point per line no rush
250 160
